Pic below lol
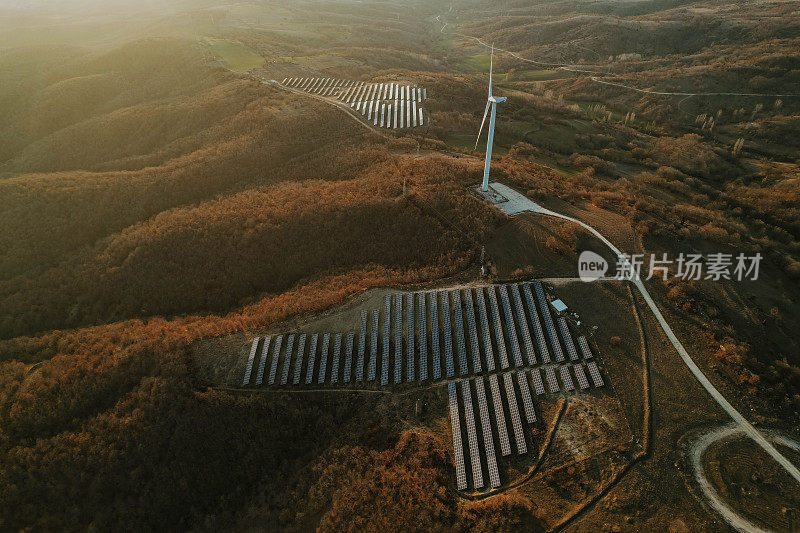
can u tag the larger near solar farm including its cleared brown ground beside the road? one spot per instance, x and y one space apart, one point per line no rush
520 394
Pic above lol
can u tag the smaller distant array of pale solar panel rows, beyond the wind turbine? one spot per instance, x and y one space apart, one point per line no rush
386 105
